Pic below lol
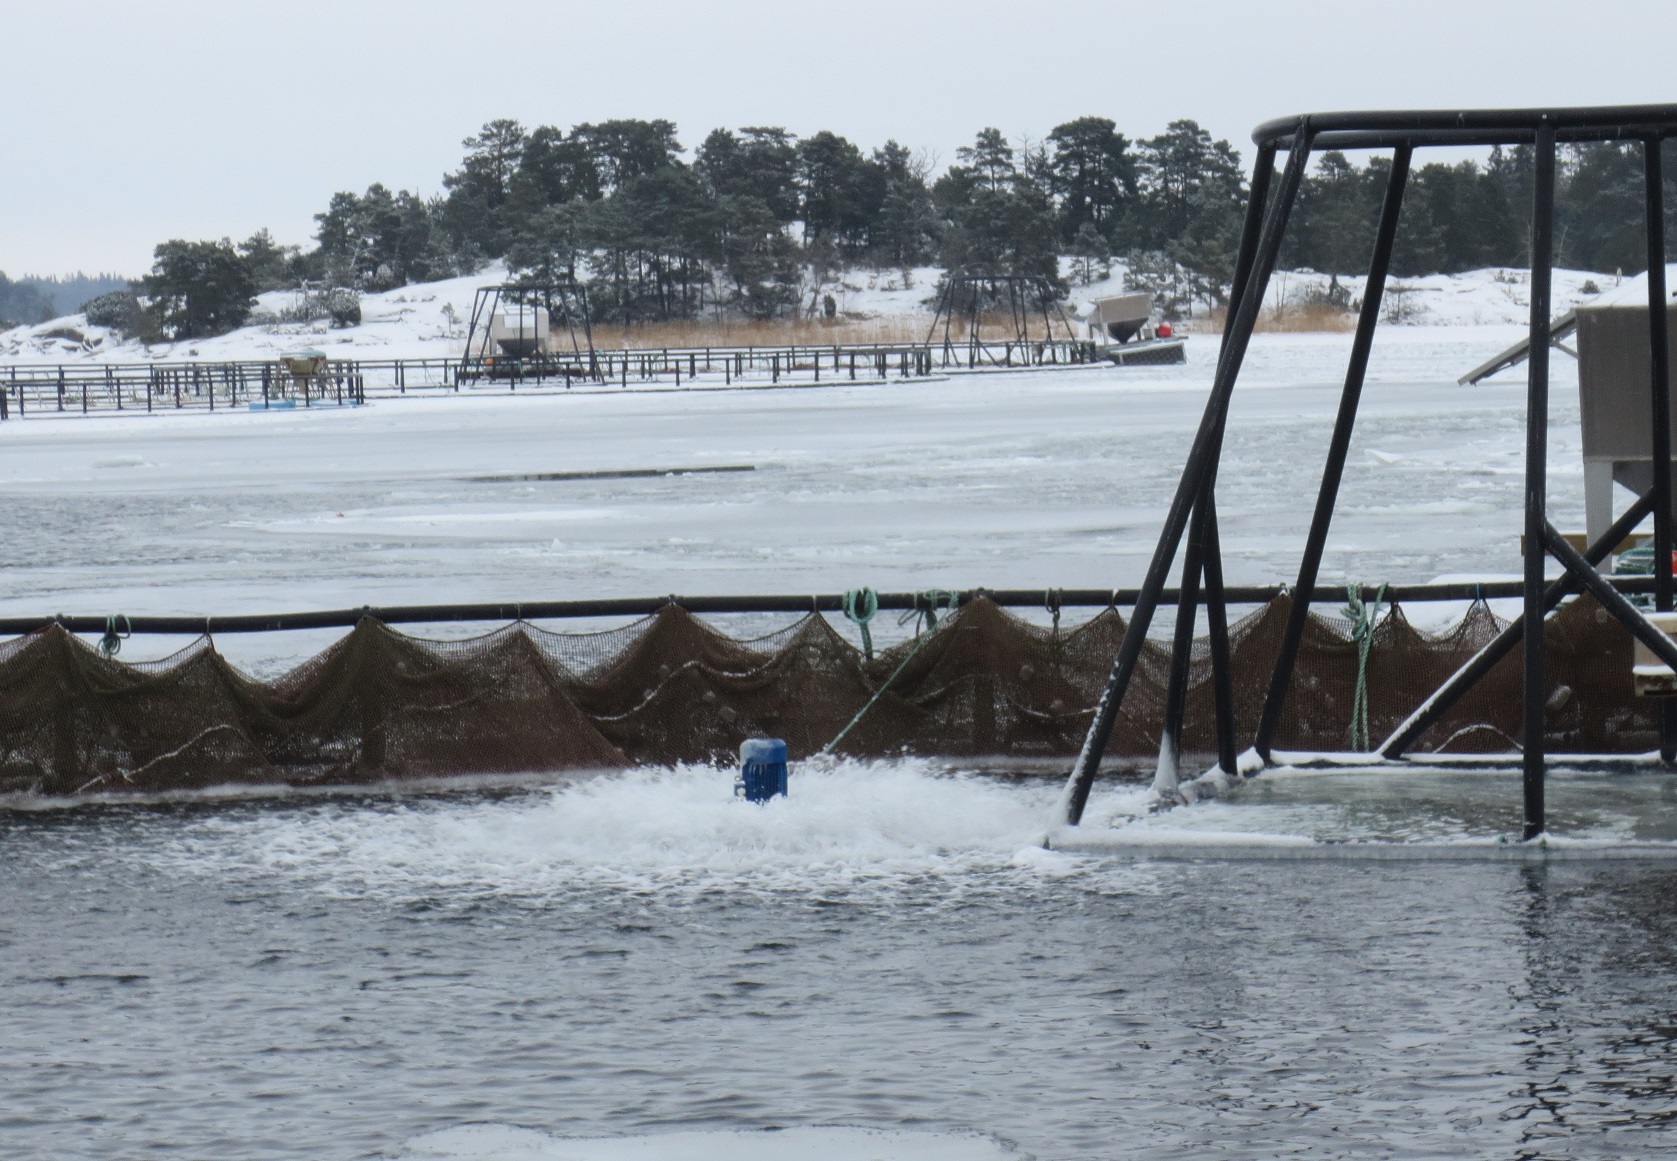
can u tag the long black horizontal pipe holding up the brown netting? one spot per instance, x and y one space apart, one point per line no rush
772 603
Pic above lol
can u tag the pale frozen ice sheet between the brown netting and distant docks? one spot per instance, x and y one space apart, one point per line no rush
1007 481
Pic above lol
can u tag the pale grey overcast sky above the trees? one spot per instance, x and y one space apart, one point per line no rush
128 123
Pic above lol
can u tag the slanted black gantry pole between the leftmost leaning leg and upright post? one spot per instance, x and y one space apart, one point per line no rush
1339 449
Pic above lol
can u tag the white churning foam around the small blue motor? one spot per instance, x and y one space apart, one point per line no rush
650 830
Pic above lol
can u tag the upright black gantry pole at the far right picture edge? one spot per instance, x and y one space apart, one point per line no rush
1661 415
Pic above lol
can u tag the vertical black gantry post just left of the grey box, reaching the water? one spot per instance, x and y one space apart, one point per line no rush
1537 477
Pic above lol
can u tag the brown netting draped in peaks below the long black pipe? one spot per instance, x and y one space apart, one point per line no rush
382 705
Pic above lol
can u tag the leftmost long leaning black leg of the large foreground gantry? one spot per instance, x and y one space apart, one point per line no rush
1200 464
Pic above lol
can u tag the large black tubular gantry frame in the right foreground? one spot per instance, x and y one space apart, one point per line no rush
1193 508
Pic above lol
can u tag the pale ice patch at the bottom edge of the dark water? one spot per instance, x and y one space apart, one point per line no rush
506 1143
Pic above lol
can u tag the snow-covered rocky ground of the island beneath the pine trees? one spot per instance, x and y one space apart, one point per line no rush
428 321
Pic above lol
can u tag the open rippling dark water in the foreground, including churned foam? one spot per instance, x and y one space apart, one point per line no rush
335 979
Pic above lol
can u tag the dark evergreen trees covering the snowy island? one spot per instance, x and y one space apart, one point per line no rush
752 219
